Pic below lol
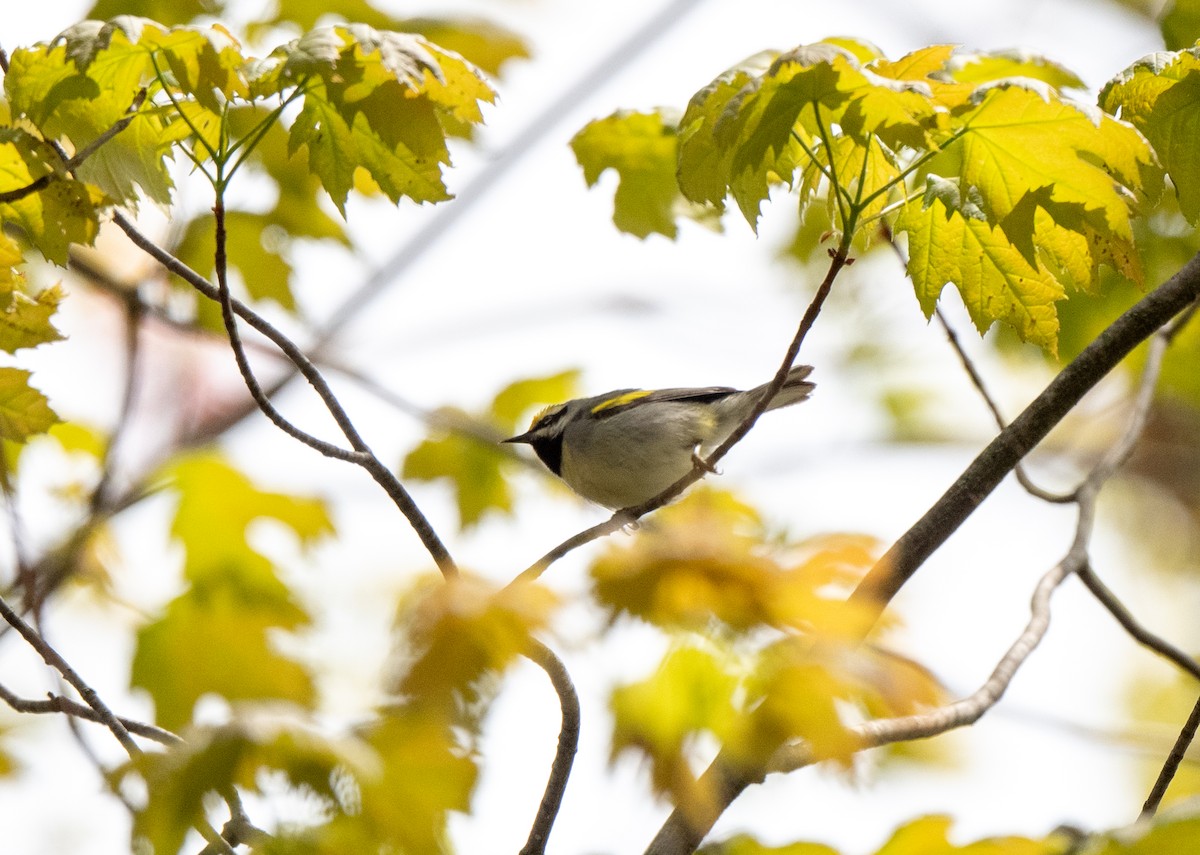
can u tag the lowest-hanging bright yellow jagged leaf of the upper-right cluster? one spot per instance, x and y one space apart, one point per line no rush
995 280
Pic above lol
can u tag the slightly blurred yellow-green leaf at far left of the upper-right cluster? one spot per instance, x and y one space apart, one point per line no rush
641 150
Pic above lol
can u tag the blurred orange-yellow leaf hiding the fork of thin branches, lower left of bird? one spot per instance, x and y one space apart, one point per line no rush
457 631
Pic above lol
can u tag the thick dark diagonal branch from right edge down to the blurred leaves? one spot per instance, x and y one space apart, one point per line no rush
898 565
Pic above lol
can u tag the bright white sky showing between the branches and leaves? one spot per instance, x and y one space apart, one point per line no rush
535 280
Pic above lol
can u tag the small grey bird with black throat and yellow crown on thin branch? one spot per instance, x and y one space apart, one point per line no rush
623 449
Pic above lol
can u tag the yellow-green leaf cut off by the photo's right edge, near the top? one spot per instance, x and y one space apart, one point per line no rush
1161 97
